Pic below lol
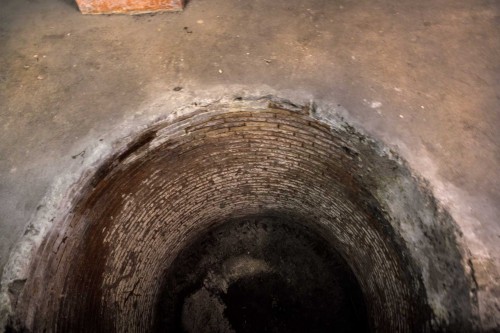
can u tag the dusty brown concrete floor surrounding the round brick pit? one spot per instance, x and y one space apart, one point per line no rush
422 76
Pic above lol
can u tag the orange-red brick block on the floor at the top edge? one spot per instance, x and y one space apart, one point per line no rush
128 6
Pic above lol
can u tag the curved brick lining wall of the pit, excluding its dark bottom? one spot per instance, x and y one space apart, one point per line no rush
101 269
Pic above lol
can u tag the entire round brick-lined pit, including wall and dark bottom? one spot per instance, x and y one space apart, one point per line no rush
248 217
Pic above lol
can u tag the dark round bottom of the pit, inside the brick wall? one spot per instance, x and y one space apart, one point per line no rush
261 275
